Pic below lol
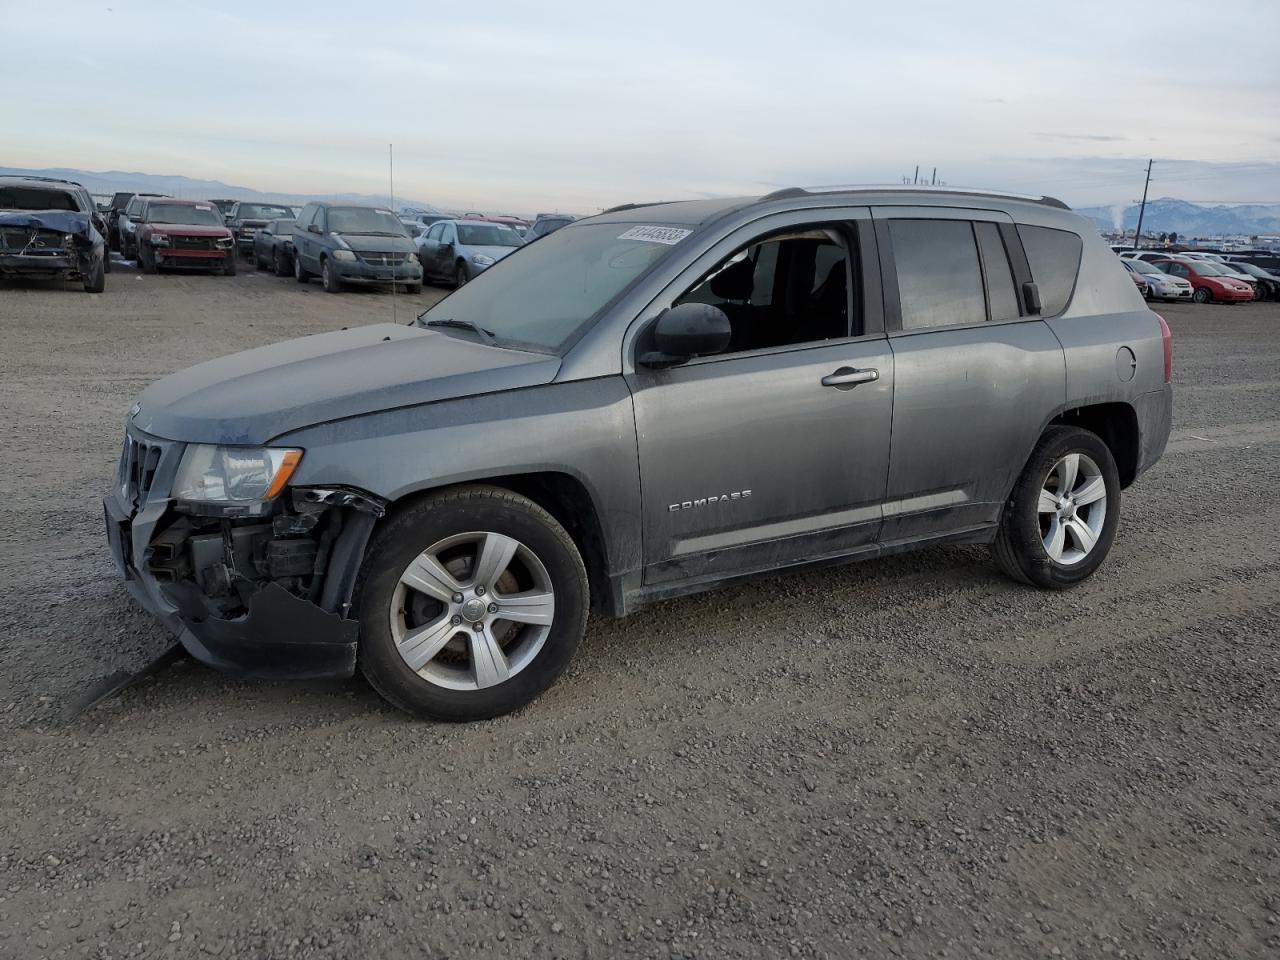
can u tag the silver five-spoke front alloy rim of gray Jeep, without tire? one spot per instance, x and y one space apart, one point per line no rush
473 611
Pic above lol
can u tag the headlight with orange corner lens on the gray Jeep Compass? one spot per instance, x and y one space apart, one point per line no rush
234 474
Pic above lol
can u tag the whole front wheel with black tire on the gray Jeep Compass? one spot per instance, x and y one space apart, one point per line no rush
472 604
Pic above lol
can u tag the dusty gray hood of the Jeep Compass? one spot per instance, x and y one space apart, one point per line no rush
259 395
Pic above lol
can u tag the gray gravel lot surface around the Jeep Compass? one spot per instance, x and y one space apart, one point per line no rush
912 758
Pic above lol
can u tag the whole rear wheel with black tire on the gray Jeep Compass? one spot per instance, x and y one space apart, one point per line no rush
1062 519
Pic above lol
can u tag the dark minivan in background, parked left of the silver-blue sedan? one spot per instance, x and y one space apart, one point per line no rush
345 244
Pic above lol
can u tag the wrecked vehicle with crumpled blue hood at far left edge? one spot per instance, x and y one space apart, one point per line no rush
48 232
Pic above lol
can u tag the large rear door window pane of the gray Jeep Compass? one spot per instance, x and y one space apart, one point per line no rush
939 277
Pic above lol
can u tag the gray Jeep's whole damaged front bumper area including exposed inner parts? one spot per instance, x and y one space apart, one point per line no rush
264 596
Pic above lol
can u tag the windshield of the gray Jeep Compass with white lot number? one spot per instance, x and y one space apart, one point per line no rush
545 292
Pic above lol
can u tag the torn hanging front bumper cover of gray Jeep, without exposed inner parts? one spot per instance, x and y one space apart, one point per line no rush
281 637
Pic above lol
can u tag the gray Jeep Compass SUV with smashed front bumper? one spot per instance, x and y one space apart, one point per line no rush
644 404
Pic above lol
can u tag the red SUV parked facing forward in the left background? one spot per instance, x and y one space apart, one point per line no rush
185 234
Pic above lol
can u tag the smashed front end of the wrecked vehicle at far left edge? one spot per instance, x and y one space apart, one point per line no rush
49 244
